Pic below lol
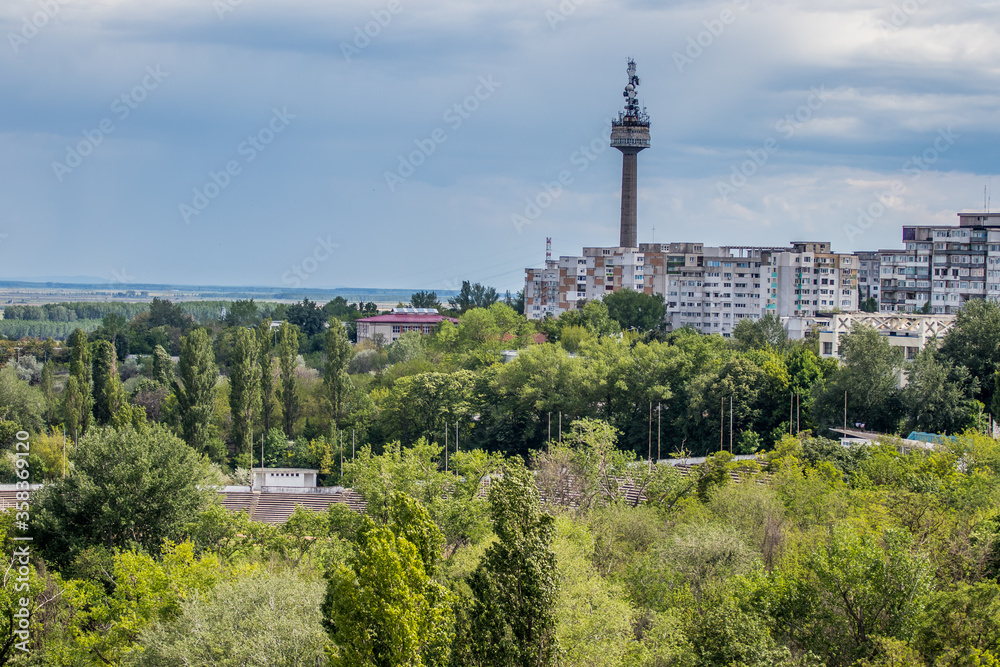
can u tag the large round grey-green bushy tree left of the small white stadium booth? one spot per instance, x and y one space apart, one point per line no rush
125 488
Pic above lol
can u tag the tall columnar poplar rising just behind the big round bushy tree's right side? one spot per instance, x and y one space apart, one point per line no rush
196 389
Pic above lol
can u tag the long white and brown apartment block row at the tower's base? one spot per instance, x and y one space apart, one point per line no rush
707 288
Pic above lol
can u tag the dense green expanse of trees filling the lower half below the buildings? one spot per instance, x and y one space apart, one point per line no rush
515 511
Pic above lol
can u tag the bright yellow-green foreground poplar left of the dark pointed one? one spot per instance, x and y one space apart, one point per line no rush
383 607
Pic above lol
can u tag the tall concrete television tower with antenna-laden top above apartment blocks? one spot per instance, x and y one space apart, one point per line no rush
630 134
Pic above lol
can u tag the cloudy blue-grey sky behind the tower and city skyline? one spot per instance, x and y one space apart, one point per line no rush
397 144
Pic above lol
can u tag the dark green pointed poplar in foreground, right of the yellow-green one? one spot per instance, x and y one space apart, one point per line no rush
512 614
